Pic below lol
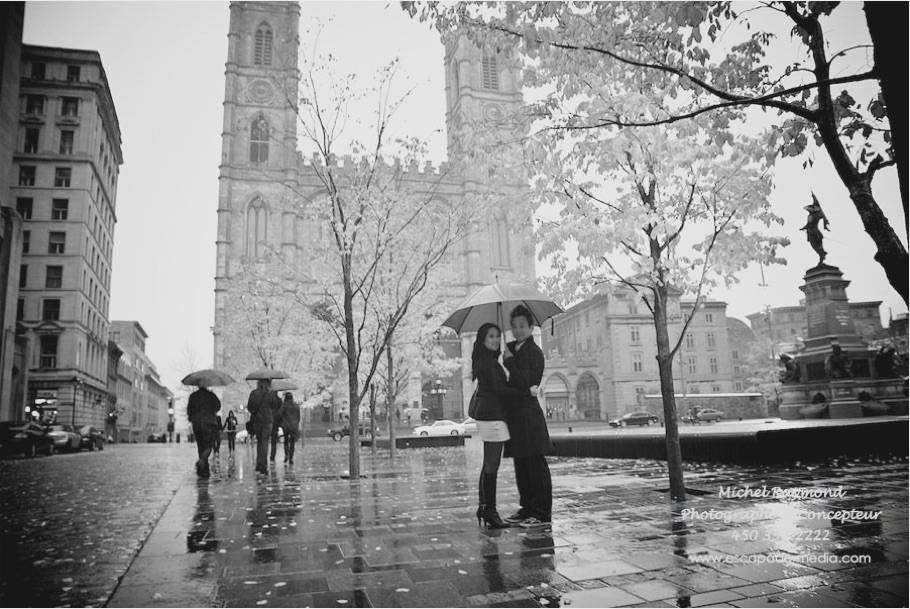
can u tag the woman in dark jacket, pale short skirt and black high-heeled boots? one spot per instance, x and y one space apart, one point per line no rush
493 393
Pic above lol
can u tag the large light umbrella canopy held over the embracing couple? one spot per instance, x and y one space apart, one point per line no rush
493 303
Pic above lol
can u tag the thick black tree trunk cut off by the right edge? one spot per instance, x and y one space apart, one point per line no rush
890 56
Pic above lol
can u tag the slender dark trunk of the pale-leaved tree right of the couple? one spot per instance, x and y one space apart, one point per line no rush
665 369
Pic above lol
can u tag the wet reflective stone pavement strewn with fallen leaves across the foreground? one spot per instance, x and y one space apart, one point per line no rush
133 527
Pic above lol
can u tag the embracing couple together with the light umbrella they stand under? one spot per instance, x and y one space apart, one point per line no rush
509 417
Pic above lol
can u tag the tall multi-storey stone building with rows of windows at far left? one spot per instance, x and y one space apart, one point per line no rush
64 170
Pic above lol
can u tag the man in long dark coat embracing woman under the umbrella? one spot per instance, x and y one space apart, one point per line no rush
530 439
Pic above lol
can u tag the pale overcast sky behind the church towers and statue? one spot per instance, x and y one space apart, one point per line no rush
165 65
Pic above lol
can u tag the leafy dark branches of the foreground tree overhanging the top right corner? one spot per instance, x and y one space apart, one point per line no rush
715 59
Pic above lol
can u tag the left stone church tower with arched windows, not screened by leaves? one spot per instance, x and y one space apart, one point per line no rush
258 168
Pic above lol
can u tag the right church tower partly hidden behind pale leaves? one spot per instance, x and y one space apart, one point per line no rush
480 86
